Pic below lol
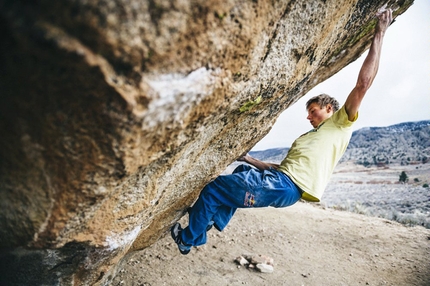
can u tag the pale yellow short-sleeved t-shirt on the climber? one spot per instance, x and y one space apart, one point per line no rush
313 156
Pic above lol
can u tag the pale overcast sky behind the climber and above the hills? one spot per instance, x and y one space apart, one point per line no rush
399 93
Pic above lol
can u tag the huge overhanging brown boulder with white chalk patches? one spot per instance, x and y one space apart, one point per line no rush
114 114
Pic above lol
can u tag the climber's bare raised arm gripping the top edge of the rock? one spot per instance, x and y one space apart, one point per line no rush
370 66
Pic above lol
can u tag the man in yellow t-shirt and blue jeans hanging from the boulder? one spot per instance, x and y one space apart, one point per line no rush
305 171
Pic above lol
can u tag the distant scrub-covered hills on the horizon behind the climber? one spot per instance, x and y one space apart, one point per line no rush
404 143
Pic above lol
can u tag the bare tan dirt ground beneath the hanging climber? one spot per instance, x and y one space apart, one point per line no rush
310 245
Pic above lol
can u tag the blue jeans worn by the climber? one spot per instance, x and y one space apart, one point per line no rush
246 187
